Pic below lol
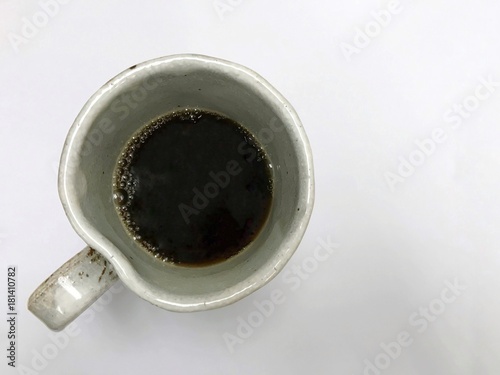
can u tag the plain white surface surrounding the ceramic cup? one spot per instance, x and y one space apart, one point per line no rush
398 249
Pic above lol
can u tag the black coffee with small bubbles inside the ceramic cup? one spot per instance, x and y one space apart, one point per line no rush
193 187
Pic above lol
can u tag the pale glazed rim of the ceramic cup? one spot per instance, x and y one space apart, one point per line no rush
125 270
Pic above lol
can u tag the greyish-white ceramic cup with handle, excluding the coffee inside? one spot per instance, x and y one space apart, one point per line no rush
108 120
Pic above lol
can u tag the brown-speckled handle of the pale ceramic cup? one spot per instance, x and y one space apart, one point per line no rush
70 290
